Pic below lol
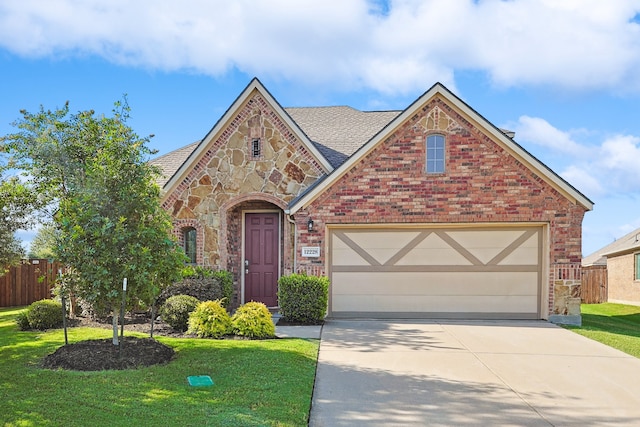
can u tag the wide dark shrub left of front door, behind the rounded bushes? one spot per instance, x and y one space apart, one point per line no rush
201 283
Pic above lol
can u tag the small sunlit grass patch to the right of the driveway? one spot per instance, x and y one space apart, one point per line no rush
615 325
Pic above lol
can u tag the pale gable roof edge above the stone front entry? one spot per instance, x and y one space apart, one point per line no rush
192 158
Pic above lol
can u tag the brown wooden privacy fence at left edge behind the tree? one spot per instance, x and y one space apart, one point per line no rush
28 282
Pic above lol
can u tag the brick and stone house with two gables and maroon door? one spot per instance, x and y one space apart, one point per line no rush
427 212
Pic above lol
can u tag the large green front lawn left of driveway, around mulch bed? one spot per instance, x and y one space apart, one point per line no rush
257 383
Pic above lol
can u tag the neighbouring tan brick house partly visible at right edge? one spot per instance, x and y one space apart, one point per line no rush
621 259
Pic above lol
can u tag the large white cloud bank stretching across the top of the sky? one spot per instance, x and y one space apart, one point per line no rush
396 49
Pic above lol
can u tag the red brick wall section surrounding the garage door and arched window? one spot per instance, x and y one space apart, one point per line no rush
483 183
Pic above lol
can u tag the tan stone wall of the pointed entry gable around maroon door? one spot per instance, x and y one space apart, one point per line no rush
254 163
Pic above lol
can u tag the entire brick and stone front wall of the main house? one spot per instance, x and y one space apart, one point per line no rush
256 162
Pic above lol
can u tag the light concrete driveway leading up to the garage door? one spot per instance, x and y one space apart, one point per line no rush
484 373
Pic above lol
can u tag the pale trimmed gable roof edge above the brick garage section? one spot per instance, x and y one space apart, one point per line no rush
505 141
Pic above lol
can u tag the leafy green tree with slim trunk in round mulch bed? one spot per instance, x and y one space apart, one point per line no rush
109 218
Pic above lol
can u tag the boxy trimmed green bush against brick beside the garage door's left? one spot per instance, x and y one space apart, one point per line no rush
303 298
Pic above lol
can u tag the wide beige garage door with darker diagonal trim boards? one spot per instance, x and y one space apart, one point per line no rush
436 272
